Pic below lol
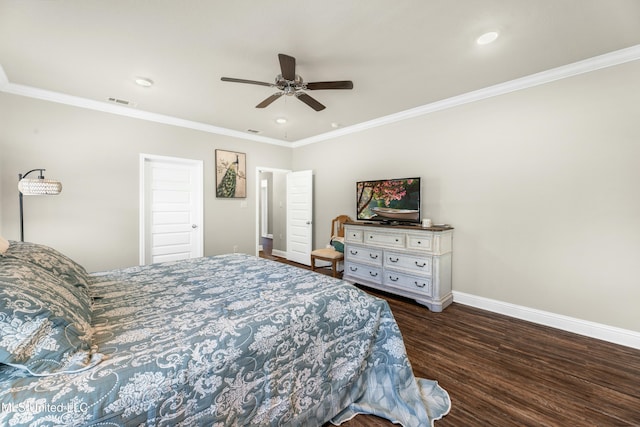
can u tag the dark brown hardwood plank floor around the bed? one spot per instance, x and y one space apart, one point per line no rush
501 371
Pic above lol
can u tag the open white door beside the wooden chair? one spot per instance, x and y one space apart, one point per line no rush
300 216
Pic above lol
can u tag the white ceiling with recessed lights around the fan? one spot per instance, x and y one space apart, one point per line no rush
400 54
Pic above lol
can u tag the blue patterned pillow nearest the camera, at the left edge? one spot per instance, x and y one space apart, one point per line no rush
45 322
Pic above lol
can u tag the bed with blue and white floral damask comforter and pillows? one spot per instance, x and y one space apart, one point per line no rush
229 340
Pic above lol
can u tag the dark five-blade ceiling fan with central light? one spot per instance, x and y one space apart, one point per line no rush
291 84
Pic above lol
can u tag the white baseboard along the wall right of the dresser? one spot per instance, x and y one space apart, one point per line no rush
582 327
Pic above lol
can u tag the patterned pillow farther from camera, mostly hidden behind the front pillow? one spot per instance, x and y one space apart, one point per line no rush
51 260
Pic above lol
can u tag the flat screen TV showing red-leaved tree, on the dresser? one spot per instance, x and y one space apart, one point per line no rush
389 200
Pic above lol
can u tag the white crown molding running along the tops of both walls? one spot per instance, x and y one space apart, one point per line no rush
585 66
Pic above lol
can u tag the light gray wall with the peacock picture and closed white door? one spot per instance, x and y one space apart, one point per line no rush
96 156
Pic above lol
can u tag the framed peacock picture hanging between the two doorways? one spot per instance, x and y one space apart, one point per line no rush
231 174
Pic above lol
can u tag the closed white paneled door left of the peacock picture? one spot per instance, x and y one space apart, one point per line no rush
171 209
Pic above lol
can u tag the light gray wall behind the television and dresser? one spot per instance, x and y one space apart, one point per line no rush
541 185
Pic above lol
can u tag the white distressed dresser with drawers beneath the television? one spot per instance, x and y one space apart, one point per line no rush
411 261
